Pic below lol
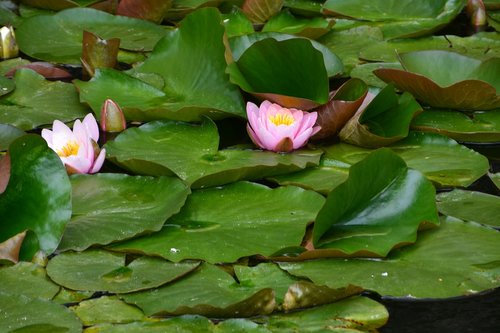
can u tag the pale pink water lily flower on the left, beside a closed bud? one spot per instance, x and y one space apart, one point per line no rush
77 148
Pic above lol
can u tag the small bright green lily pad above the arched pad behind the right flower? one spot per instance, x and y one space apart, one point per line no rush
286 22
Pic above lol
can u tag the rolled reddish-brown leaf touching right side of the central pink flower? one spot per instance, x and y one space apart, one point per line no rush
343 104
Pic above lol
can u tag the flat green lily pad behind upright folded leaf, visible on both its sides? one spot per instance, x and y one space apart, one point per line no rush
442 160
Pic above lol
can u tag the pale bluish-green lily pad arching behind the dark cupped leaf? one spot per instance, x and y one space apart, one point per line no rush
240 44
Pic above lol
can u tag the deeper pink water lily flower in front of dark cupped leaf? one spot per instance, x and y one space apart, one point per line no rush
273 127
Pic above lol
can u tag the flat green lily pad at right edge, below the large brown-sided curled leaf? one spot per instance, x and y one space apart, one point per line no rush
479 126
